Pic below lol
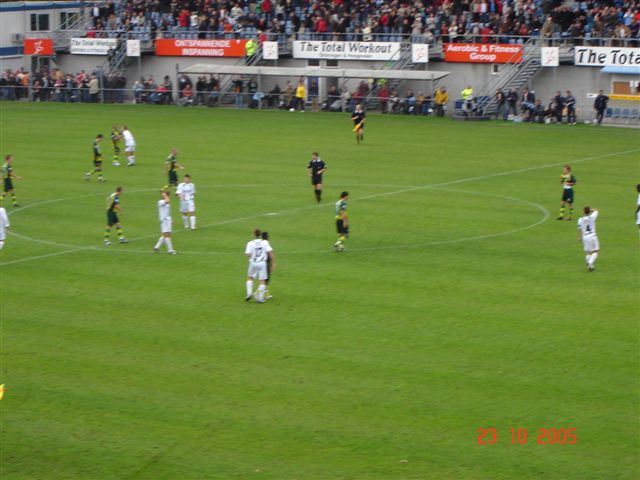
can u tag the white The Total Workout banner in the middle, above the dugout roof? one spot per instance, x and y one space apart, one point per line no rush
347 50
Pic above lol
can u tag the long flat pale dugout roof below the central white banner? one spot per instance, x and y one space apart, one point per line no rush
206 68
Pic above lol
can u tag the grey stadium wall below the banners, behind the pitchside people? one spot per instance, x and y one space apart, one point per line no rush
580 80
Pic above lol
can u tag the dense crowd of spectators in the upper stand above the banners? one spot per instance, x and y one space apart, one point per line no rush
431 20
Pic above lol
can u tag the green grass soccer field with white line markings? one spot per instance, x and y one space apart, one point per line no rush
460 303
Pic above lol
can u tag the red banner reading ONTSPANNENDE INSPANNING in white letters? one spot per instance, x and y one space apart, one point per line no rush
200 48
